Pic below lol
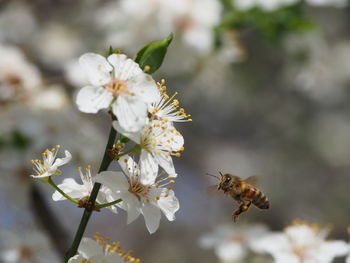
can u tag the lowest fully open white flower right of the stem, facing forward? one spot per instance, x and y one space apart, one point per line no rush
140 194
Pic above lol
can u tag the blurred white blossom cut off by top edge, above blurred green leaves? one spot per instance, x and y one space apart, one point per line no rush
268 5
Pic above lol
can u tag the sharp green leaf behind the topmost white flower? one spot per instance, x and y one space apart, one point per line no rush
151 56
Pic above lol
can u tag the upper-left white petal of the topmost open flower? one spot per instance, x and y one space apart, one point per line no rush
97 68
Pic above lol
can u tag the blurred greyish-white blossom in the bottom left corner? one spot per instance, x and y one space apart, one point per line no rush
25 247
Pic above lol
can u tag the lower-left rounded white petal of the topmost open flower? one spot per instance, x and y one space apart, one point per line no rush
92 99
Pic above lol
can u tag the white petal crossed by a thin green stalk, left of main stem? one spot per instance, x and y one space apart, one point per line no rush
72 188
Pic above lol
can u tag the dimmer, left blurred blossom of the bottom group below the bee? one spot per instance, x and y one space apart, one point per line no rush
232 243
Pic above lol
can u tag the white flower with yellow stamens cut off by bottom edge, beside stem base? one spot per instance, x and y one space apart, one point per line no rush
99 251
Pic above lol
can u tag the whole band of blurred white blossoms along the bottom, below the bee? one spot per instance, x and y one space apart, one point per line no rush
300 242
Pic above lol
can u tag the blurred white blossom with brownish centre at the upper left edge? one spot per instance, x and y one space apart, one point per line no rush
19 79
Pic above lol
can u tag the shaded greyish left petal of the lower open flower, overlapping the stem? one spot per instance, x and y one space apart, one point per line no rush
115 181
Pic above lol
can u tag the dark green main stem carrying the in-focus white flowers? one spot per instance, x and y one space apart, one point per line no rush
91 203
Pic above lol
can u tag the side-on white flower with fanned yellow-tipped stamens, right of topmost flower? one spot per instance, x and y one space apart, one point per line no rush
165 108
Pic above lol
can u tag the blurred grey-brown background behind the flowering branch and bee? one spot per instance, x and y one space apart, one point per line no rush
267 83
